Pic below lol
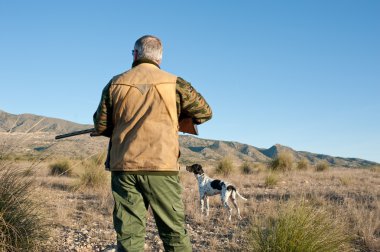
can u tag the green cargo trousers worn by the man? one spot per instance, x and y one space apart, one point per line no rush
133 194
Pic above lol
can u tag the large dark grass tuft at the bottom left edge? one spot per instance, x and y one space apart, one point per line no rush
22 221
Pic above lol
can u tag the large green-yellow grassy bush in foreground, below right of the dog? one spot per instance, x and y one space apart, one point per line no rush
300 228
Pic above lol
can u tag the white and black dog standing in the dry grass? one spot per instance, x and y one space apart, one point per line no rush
209 187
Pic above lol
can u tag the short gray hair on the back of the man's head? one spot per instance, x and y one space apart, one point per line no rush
149 47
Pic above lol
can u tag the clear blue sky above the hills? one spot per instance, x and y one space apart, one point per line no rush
305 74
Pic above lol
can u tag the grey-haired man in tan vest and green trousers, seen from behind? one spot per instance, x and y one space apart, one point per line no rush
139 110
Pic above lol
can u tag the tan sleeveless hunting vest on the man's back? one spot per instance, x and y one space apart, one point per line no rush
145 134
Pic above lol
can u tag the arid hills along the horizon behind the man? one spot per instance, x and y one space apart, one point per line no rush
193 149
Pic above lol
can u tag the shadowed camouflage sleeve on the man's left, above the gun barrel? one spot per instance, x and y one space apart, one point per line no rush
103 115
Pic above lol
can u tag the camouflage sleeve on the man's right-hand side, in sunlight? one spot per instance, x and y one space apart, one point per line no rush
191 104
